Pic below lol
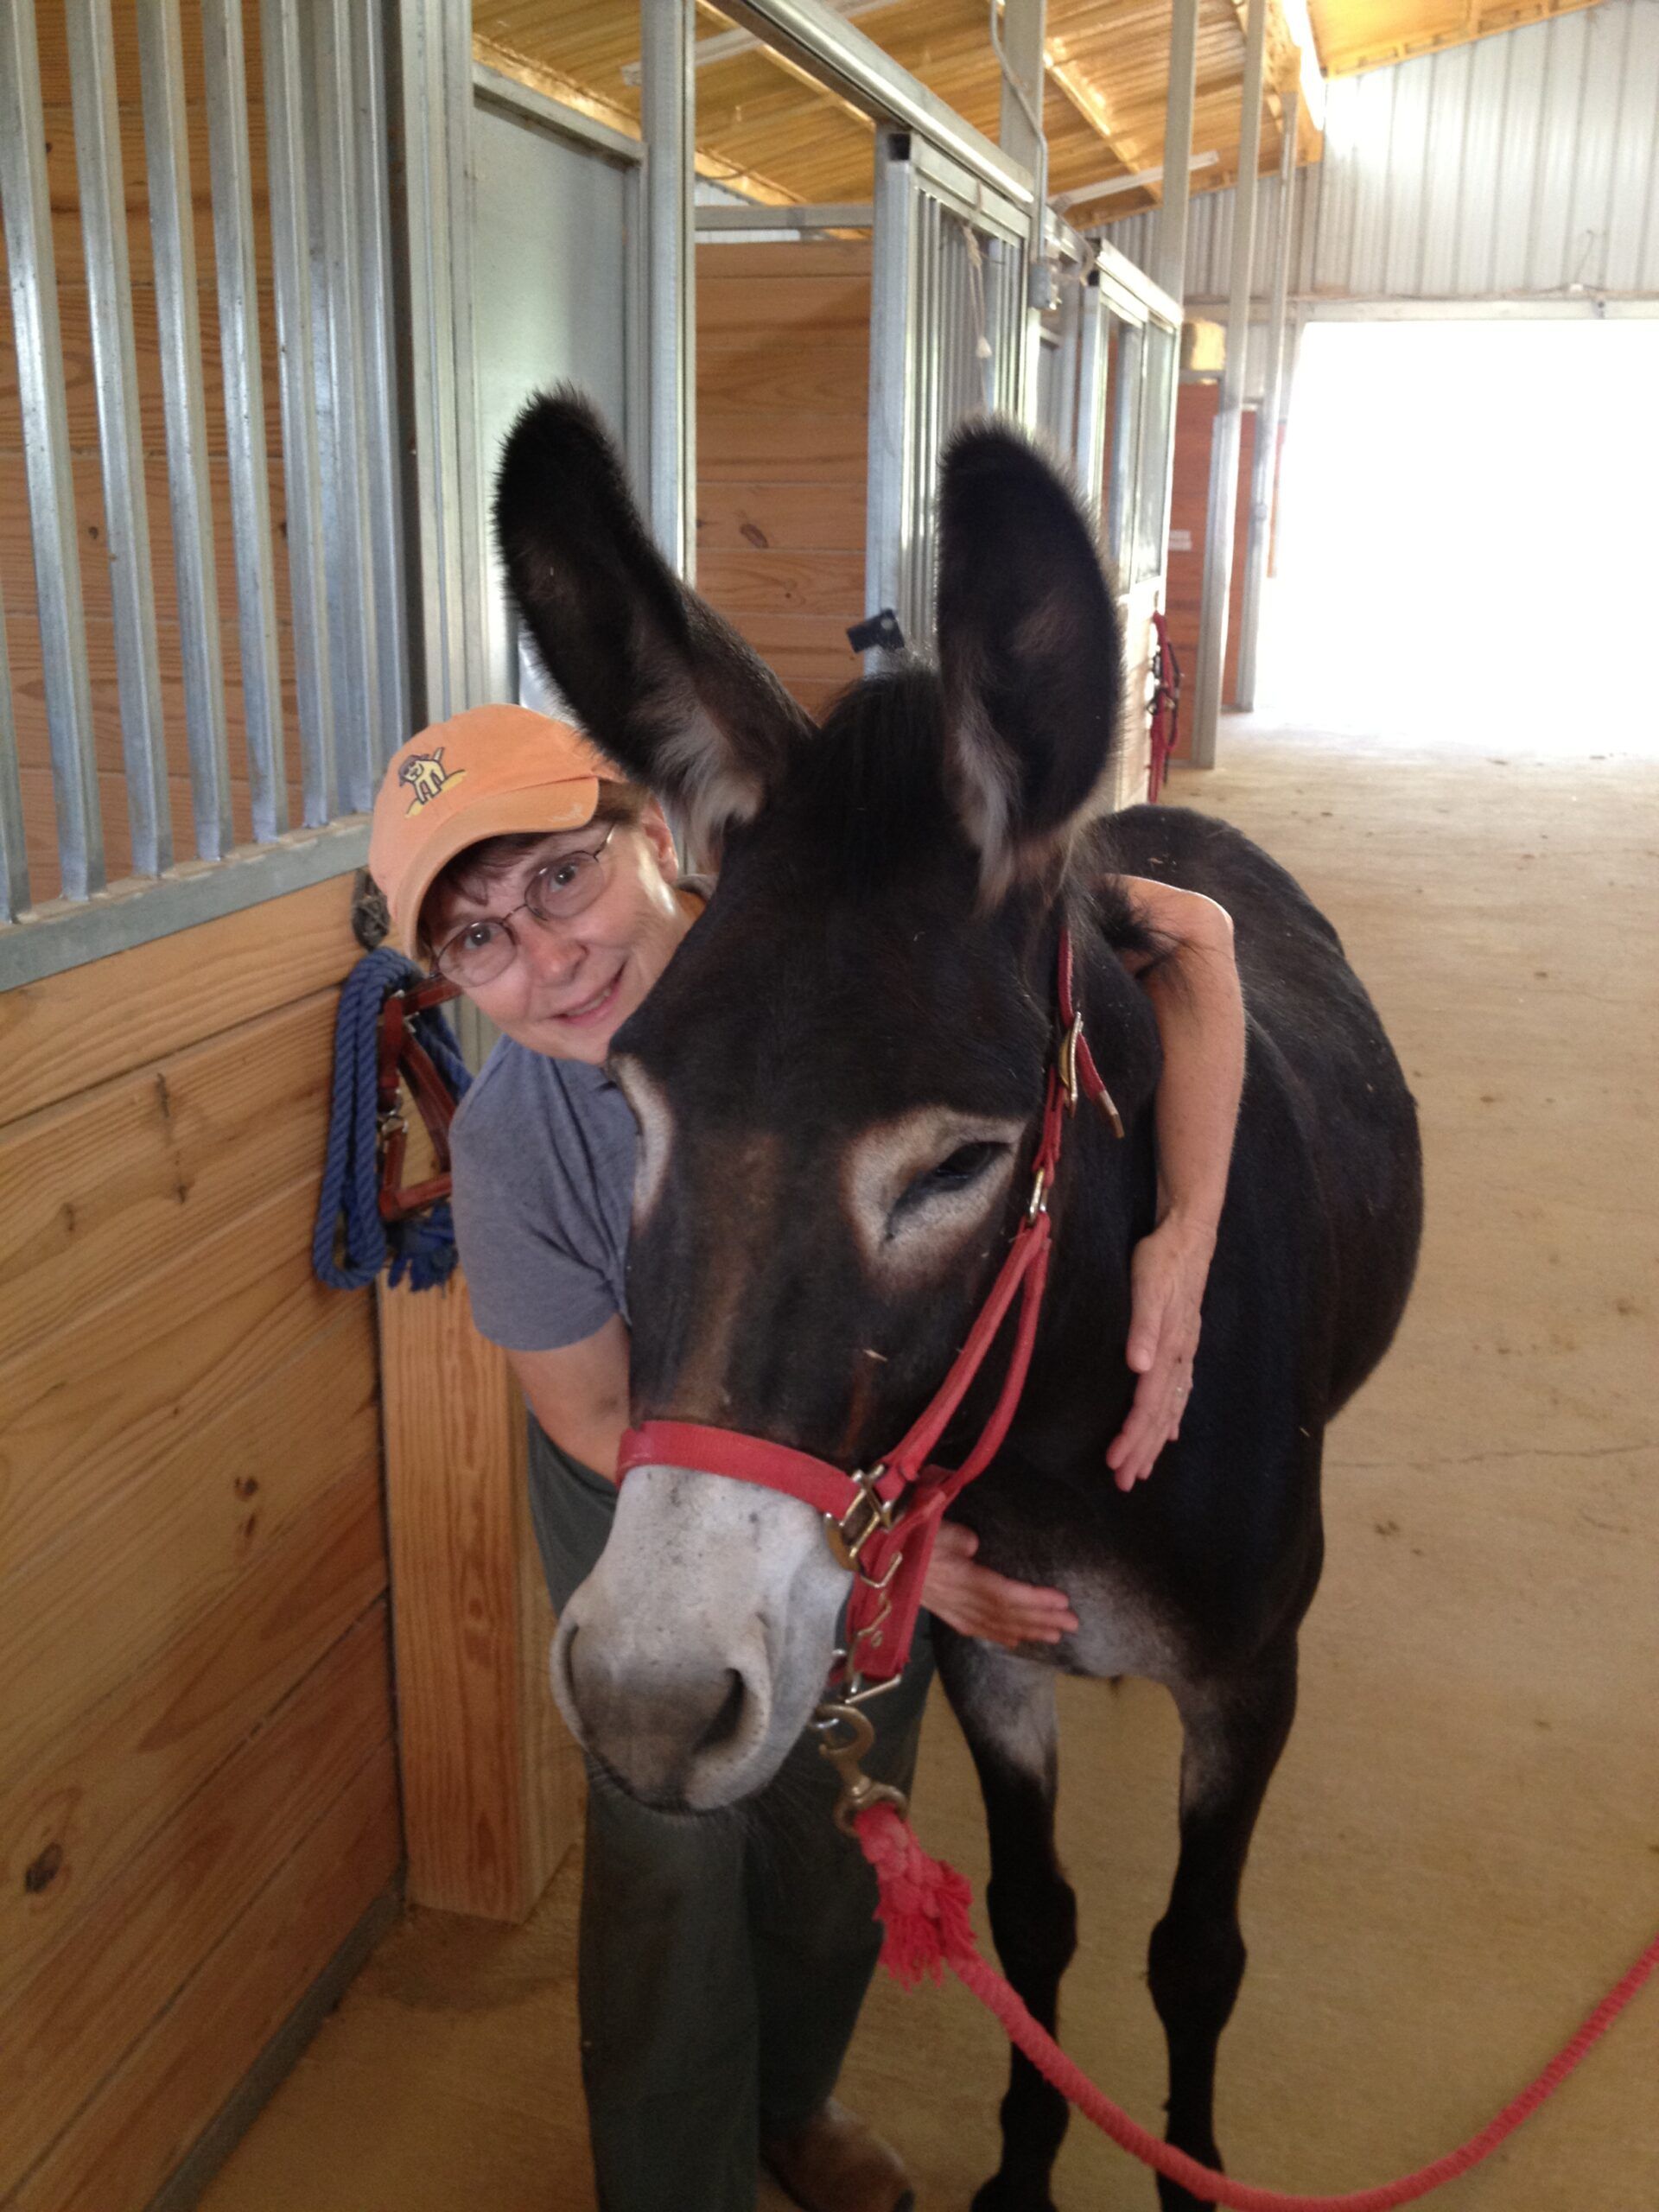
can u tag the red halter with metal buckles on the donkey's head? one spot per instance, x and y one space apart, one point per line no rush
884 1523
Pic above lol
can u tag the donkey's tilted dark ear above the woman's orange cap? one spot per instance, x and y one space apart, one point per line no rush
654 674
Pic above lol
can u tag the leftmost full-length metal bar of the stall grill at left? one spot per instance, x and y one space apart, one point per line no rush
45 441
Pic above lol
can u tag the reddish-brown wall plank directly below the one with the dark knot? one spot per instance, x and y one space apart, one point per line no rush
94 1999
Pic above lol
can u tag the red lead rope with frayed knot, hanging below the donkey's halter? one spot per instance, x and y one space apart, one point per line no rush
926 1917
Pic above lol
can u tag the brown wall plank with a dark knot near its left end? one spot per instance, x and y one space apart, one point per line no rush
76 1817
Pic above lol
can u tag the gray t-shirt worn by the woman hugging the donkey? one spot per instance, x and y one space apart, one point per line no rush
543 1156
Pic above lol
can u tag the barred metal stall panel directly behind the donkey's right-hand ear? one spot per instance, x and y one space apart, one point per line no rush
946 340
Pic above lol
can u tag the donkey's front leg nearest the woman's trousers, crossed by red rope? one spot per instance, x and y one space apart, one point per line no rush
1008 1713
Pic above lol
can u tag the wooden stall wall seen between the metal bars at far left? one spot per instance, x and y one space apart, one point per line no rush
19 587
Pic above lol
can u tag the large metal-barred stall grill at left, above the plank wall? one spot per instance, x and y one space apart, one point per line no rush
207 640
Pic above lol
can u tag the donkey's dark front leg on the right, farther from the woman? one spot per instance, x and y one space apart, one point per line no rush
1235 1731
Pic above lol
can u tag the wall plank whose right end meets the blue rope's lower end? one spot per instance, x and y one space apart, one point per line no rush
96 1412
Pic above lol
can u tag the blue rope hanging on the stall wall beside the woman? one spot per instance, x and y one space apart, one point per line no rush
353 1244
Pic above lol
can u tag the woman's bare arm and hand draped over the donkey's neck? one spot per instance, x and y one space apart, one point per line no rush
1200 1023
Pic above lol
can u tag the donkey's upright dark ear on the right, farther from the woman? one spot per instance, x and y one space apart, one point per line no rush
1027 645
